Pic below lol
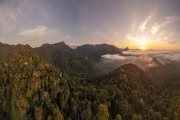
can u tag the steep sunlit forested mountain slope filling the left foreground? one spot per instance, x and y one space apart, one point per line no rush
29 87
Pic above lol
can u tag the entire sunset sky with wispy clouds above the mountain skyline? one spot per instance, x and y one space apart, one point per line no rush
141 24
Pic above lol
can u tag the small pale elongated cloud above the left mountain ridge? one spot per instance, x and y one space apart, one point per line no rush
37 31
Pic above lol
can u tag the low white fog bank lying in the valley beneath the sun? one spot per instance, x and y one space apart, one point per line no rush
143 59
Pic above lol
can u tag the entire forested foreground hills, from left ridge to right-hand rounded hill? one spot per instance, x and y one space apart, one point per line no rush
39 84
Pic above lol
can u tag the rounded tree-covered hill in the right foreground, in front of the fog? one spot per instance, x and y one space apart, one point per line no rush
127 92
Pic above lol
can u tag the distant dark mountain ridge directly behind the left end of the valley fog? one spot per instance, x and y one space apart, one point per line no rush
94 52
